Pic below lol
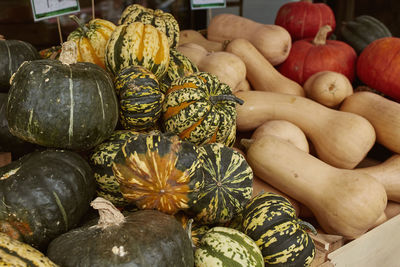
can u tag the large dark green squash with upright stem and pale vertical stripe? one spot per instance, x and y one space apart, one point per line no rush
55 104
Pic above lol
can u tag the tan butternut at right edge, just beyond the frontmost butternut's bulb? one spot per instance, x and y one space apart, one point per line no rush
388 174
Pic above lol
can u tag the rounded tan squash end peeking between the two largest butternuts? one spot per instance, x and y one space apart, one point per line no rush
285 130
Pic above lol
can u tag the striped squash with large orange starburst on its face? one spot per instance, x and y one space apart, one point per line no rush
158 171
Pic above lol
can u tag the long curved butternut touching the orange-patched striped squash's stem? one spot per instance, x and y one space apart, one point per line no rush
340 138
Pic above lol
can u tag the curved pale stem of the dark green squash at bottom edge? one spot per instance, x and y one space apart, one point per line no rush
109 214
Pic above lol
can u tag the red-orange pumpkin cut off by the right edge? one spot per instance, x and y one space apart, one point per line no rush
378 66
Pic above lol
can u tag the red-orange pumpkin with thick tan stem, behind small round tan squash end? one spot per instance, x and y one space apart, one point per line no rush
309 56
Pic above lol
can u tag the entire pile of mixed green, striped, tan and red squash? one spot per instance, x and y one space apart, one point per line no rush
142 144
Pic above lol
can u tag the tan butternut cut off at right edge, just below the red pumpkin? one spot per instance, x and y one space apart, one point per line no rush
381 112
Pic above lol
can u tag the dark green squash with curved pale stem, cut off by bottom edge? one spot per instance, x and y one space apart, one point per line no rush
141 238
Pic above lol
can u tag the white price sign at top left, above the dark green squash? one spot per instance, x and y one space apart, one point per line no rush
44 9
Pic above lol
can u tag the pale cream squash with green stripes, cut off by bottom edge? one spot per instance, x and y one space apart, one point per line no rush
227 247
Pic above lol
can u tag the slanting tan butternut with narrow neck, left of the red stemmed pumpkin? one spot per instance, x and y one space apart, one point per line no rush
260 73
